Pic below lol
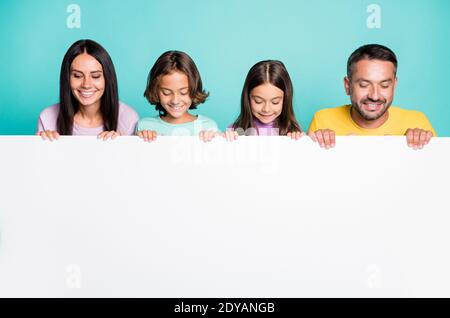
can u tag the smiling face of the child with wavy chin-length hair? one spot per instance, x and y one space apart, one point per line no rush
174 96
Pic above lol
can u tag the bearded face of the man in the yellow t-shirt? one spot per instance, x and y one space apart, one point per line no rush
371 88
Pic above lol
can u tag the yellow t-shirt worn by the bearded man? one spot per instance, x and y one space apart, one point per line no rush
340 120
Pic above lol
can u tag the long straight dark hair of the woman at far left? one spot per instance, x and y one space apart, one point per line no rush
68 105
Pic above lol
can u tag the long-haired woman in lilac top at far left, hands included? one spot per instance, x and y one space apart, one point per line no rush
89 102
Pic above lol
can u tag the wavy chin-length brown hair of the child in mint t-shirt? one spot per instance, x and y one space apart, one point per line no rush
167 63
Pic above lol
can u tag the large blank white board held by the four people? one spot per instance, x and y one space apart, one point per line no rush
261 217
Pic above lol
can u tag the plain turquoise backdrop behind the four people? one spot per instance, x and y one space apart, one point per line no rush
225 38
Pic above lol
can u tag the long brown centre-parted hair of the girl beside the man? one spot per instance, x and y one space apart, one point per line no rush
275 73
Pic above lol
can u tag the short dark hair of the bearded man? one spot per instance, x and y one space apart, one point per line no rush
371 52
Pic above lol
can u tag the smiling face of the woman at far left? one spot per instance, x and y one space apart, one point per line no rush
86 80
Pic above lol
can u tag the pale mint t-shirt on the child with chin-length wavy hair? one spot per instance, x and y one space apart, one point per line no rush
163 128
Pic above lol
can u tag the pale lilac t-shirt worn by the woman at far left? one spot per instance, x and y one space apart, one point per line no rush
126 122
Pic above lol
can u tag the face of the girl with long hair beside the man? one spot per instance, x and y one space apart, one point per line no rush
266 102
